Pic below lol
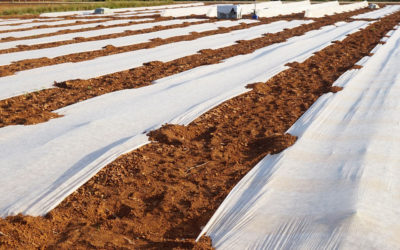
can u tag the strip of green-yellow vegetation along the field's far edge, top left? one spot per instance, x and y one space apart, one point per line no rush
22 8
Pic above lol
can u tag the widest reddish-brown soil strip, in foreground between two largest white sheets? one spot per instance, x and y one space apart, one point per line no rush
160 195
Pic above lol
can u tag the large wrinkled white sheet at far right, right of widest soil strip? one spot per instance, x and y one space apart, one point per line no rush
338 186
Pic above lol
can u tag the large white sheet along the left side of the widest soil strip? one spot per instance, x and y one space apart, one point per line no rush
64 153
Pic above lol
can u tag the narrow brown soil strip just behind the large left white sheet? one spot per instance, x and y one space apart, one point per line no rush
38 106
